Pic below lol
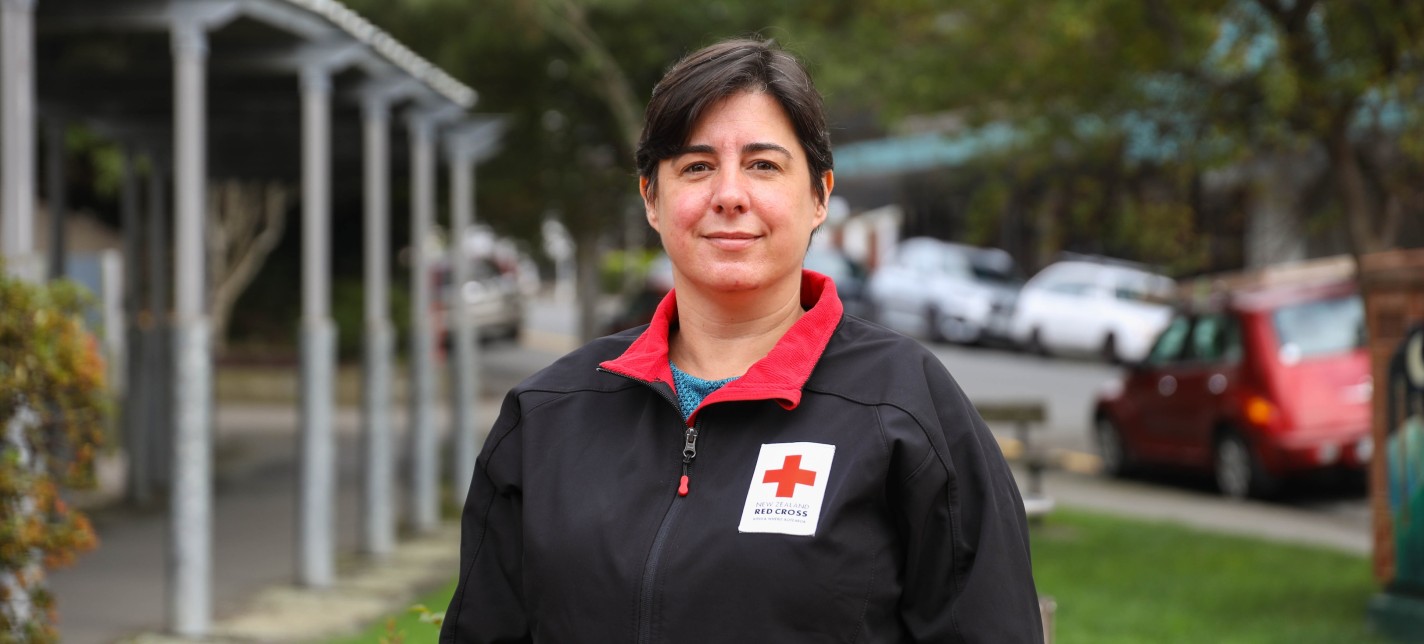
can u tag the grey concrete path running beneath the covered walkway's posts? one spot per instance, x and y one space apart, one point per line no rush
119 591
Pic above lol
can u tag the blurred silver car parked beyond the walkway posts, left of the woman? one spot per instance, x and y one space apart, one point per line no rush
492 296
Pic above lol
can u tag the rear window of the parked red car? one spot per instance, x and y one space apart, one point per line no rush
1319 328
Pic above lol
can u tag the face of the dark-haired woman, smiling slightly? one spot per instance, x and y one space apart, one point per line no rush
735 209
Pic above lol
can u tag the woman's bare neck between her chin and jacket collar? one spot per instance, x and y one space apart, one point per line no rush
724 337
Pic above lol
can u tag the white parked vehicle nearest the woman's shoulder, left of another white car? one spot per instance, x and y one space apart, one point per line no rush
946 291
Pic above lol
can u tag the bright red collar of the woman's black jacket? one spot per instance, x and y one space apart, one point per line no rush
780 377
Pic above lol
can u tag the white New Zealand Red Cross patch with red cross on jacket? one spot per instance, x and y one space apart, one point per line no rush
787 489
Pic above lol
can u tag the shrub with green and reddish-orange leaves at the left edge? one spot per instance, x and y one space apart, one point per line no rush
53 410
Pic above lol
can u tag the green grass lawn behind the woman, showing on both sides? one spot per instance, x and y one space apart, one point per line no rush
1121 581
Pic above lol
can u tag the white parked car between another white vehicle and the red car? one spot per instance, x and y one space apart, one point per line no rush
1100 307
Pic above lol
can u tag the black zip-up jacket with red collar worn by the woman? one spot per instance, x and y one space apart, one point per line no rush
576 532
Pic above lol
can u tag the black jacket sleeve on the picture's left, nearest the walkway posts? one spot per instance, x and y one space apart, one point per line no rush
489 601
